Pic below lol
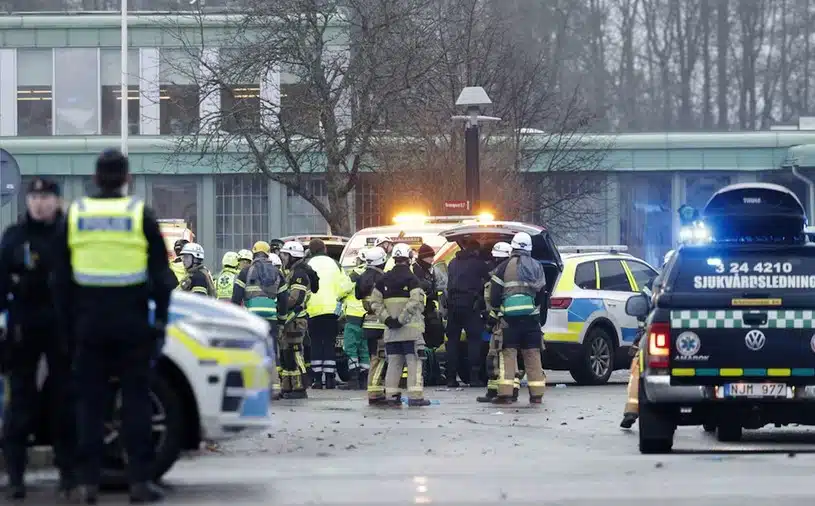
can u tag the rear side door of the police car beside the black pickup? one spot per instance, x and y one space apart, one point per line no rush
615 288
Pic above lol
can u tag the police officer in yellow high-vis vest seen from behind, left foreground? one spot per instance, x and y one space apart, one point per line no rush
111 262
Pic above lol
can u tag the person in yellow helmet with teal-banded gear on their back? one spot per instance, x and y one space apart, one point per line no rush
262 289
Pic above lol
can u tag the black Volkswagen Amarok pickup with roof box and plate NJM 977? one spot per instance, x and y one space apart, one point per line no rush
730 343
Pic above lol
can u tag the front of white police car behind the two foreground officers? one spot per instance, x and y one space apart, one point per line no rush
211 384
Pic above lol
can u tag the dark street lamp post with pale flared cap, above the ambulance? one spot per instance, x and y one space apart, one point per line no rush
473 98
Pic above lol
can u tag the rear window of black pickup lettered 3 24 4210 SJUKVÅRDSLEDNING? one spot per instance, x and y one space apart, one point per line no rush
765 270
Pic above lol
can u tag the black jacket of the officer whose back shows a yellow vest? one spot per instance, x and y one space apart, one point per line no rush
114 312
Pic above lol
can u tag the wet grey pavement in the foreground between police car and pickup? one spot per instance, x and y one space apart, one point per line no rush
334 449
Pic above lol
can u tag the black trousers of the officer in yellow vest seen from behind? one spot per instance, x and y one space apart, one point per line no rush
121 366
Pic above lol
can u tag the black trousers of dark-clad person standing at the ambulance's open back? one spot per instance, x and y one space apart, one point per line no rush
468 320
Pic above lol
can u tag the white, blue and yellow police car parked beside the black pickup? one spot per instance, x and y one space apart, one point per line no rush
587 331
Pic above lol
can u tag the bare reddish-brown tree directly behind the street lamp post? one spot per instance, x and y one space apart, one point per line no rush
536 163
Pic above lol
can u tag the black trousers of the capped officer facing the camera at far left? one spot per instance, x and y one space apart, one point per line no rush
23 406
